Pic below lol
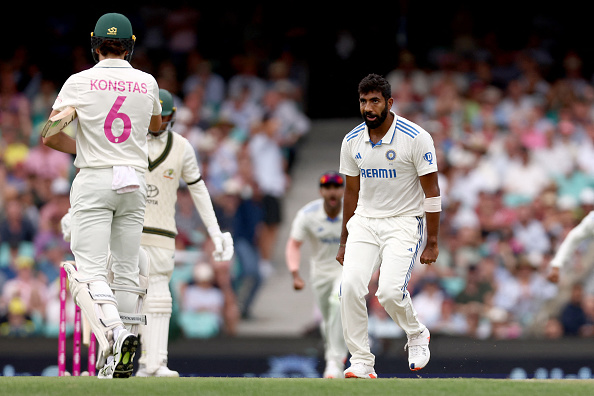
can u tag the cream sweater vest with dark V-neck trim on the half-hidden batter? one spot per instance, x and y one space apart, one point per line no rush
171 158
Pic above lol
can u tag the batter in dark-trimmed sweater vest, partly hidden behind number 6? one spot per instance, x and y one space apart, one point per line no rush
171 158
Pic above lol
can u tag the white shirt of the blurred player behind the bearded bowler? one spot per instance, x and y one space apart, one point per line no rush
312 224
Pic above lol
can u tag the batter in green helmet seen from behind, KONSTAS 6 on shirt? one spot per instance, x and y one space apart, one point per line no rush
115 105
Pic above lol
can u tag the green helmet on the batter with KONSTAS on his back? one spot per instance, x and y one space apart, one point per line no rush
113 26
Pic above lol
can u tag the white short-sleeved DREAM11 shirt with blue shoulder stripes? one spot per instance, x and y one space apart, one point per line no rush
389 170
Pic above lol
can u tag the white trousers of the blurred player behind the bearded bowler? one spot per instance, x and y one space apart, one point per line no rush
326 291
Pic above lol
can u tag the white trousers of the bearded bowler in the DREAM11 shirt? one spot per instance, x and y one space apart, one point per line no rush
392 244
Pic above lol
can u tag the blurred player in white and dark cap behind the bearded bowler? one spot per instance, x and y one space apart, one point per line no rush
320 223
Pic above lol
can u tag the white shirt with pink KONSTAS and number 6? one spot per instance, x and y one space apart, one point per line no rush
114 103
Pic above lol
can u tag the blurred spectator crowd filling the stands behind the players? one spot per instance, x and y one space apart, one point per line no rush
515 150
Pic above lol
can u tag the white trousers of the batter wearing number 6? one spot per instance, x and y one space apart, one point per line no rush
104 221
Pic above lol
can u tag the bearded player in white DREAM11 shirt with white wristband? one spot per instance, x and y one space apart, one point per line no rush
391 192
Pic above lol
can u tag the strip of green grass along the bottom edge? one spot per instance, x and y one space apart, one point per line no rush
90 386
